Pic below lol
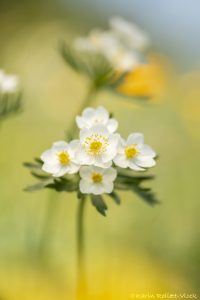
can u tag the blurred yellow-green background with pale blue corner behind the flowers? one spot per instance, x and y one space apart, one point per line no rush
136 248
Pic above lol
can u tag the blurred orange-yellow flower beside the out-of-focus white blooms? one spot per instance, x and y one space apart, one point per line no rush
146 80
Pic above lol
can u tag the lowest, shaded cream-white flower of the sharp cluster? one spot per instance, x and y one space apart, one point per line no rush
95 180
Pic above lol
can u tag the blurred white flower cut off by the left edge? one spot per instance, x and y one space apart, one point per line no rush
8 83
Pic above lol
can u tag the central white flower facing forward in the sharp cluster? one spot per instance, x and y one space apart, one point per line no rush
97 146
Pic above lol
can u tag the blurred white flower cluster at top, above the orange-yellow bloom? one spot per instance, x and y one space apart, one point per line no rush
122 44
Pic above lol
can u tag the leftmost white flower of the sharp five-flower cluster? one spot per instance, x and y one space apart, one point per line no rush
60 159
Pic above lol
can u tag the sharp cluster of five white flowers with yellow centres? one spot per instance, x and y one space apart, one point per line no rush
98 153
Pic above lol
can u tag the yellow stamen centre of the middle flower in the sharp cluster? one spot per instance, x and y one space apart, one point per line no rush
96 144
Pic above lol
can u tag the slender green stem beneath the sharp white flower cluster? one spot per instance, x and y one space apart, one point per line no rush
81 277
